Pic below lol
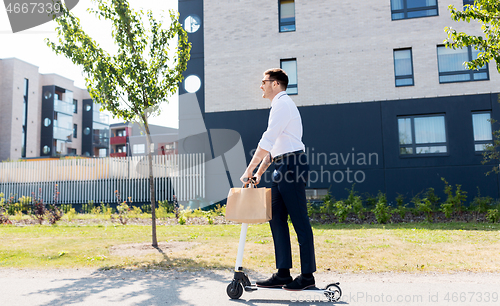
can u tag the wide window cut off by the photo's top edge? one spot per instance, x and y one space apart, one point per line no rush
405 9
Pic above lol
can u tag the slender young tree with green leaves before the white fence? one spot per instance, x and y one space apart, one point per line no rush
133 81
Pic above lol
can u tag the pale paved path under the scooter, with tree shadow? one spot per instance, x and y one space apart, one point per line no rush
125 287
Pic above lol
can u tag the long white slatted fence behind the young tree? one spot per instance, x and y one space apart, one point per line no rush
80 181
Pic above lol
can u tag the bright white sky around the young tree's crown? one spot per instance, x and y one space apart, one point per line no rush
30 47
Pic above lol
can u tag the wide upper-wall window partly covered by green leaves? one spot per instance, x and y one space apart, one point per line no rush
452 69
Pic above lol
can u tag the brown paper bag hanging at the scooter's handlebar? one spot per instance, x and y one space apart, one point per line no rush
249 205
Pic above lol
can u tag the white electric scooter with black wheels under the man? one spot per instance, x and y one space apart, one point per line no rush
241 282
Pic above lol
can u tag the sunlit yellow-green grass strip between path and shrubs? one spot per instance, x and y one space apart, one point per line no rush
414 247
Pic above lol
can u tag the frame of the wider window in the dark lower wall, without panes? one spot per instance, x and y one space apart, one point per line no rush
414 145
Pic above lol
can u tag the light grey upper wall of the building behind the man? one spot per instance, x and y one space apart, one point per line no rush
344 52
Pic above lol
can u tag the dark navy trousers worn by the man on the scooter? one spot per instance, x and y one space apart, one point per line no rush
289 198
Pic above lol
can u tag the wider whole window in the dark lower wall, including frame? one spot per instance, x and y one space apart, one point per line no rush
422 135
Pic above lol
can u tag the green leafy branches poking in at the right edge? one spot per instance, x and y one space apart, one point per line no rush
487 14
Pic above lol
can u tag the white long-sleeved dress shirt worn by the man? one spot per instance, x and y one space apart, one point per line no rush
284 128
